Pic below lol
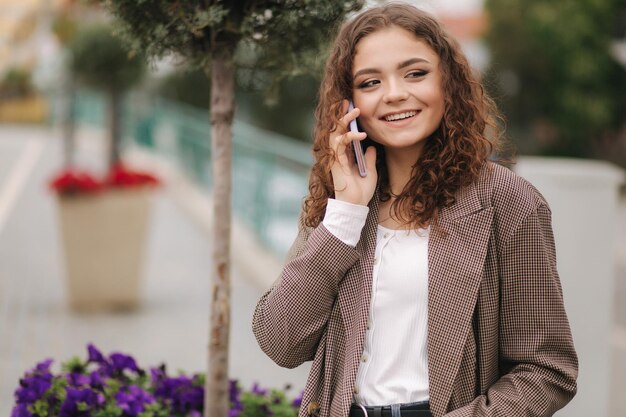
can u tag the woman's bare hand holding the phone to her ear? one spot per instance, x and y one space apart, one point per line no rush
349 185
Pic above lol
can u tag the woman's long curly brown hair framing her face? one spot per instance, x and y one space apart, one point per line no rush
453 155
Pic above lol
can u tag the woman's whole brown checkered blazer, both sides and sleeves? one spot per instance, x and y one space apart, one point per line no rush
499 343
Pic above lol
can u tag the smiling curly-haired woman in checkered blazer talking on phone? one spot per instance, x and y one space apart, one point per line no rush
429 286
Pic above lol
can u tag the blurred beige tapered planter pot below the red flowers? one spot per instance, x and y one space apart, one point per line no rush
103 239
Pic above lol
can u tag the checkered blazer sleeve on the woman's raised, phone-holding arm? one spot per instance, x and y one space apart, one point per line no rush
290 318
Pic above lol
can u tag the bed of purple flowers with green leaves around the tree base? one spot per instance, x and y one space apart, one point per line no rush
115 386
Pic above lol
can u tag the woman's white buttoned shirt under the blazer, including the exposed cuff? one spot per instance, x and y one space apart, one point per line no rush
394 362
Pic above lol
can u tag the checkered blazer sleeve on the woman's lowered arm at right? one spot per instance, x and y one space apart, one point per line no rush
538 362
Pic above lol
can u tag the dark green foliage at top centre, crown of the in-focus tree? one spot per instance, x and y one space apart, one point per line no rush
287 35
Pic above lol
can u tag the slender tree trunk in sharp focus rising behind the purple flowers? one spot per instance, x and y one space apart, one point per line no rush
222 110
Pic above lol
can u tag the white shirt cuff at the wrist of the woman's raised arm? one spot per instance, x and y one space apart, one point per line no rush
345 220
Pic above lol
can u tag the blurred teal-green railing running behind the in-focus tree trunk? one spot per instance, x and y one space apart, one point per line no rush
269 170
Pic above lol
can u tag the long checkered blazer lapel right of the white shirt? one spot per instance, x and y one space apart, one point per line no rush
456 254
